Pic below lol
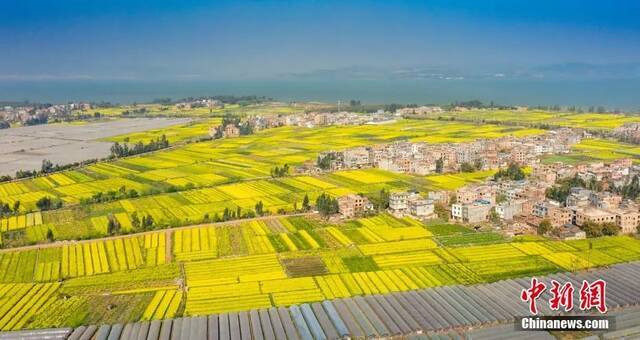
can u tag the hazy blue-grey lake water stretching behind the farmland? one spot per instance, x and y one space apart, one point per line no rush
613 94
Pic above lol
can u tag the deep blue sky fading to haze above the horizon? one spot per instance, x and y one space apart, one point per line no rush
181 39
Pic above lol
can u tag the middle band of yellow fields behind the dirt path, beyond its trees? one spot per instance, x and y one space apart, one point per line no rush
228 173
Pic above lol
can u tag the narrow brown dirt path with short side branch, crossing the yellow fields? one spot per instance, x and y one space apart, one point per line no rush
169 231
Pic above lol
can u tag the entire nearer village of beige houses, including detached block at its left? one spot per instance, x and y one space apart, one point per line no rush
522 205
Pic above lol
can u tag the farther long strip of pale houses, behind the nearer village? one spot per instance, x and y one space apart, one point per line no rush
423 158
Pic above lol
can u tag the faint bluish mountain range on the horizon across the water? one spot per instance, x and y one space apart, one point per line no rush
573 71
